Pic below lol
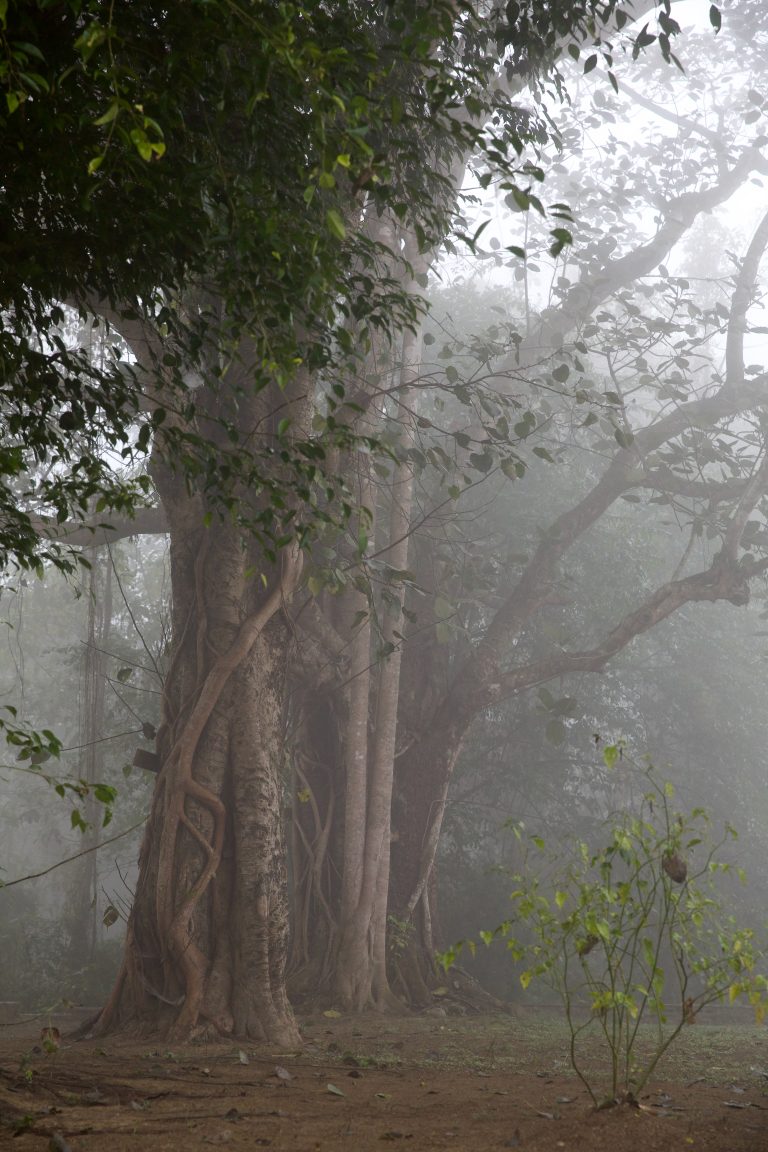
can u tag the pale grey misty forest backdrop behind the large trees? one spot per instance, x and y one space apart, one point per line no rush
86 656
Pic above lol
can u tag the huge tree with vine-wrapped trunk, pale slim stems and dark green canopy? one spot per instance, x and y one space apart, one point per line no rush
310 164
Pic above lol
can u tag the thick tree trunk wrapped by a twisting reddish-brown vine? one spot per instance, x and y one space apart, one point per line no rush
209 931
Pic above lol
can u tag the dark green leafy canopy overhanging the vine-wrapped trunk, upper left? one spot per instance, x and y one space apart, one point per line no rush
202 170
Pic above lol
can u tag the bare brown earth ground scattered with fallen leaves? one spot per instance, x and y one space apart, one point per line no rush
466 1085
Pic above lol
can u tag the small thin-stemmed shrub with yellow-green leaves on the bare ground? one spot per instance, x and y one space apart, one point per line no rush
632 934
